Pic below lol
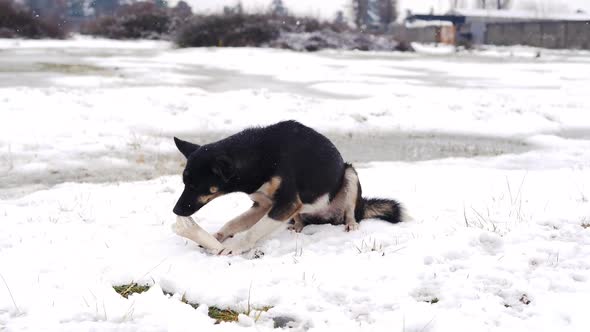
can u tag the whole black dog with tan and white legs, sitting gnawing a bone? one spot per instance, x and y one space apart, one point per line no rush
290 172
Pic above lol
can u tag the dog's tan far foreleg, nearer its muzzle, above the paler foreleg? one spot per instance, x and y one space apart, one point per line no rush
262 204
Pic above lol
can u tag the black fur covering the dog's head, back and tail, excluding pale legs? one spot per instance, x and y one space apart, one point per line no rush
307 163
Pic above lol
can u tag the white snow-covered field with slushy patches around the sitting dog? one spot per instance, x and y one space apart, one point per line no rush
488 151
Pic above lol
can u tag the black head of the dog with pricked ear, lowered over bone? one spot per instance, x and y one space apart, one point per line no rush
205 176
